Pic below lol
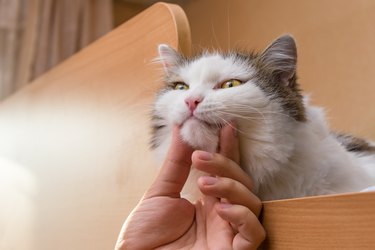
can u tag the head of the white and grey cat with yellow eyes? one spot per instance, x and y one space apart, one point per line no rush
207 92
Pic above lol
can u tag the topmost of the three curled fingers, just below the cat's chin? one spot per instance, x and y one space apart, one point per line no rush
218 165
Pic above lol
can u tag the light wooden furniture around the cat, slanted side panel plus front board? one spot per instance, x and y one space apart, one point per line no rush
75 159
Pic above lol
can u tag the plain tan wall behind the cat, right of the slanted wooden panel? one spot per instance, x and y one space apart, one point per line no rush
336 45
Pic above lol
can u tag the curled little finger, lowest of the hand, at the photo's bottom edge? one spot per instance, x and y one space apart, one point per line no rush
250 231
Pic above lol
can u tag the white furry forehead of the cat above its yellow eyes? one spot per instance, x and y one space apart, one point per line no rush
213 68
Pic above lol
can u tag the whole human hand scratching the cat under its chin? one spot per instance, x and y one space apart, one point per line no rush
224 218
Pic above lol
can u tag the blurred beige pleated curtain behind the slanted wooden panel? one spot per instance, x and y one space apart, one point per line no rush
35 35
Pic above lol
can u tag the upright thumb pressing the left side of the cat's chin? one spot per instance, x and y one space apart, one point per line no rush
175 169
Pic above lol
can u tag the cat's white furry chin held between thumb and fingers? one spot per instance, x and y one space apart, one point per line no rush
200 135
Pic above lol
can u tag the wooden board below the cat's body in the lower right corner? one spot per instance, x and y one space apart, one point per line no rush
329 222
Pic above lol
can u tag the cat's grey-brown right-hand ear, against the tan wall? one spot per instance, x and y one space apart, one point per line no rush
280 58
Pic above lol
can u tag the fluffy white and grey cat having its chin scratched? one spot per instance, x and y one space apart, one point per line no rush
285 143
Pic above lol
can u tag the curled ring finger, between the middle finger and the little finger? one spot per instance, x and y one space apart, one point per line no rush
231 191
